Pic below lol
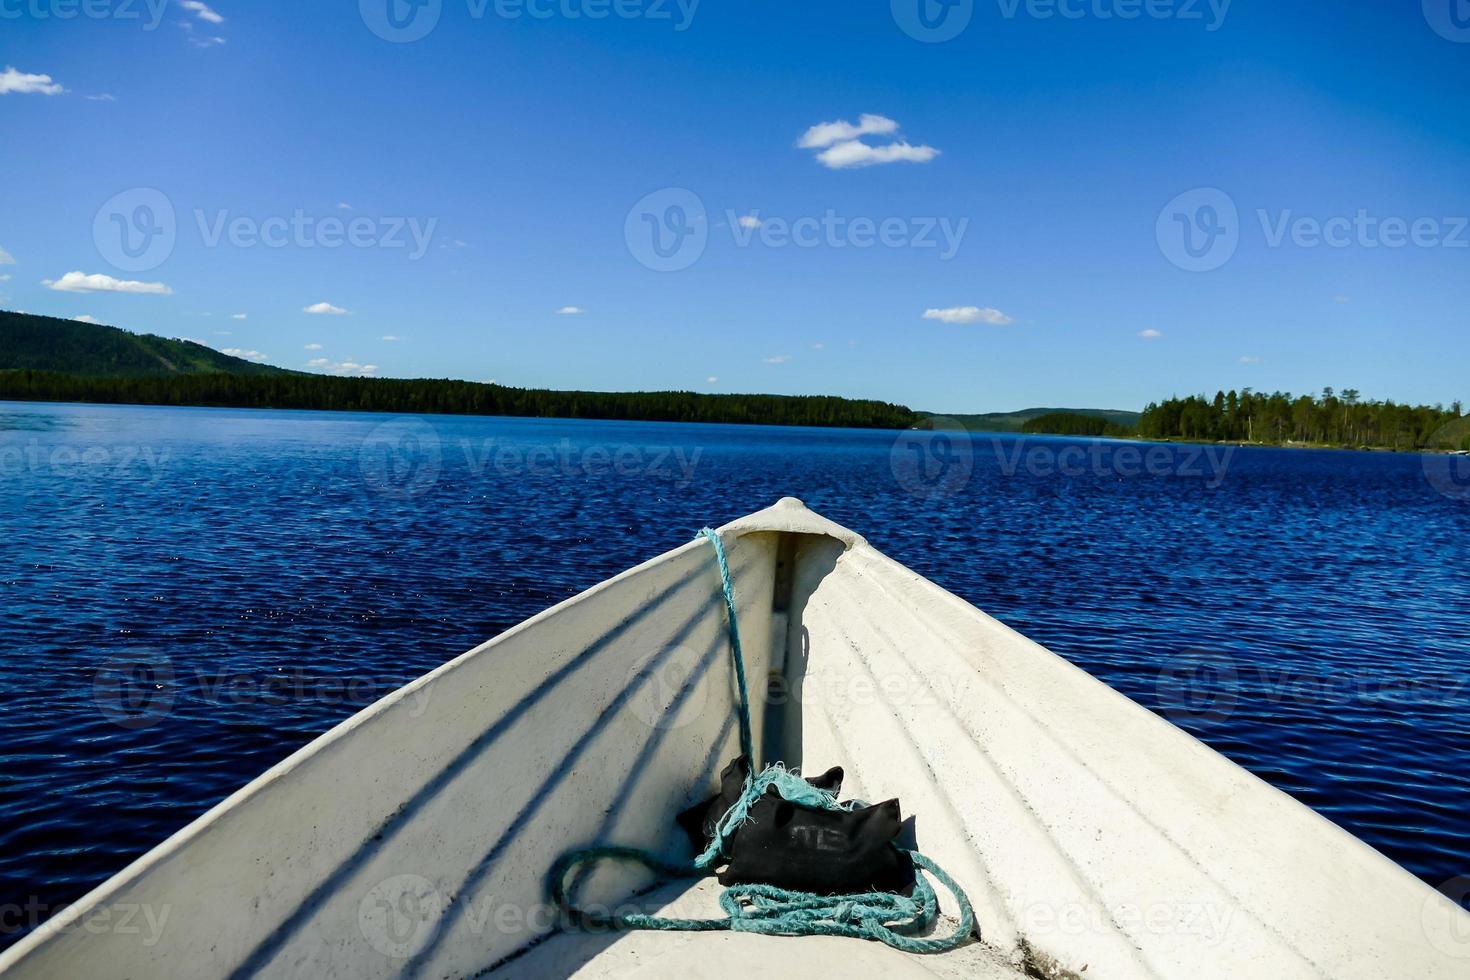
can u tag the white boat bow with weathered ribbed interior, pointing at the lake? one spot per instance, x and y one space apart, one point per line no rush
1093 838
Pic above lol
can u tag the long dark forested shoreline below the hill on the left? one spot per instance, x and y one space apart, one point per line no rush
451 397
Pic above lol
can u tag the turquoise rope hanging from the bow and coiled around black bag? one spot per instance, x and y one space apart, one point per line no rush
765 909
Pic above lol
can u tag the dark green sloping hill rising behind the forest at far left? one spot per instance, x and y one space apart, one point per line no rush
51 345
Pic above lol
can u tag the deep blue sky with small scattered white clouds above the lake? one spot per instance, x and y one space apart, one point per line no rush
1066 158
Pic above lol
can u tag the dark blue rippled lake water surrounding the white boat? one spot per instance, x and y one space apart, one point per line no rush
1308 613
